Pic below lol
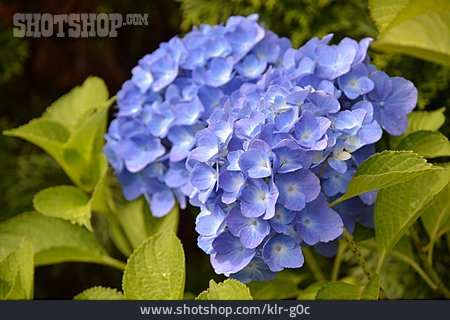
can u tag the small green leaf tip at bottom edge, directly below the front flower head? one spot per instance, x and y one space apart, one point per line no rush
230 289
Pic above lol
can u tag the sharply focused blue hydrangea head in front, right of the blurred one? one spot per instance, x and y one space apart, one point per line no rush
268 163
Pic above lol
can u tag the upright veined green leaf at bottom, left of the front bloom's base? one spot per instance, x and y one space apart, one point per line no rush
156 270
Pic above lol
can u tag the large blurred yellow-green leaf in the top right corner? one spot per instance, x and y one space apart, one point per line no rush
414 28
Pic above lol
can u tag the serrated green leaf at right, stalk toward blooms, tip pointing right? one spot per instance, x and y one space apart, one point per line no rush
383 170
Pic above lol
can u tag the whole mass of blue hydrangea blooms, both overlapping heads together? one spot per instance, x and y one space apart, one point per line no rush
260 136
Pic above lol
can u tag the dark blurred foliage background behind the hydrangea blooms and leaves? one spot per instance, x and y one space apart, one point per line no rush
34 72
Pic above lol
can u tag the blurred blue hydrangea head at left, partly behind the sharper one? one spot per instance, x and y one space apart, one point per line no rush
171 94
